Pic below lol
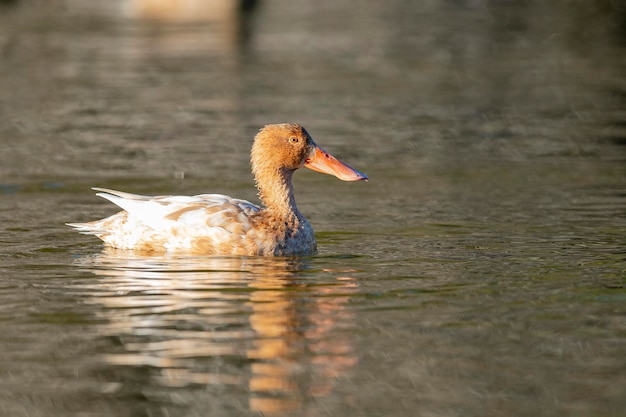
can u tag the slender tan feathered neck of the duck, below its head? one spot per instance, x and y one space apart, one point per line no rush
276 192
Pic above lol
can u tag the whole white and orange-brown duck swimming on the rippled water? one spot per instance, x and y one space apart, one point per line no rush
216 224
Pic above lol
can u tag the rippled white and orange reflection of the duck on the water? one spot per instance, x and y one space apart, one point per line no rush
219 324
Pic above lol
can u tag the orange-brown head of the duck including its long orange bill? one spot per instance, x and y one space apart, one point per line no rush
286 147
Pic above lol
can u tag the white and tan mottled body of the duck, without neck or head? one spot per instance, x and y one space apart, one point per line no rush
203 224
